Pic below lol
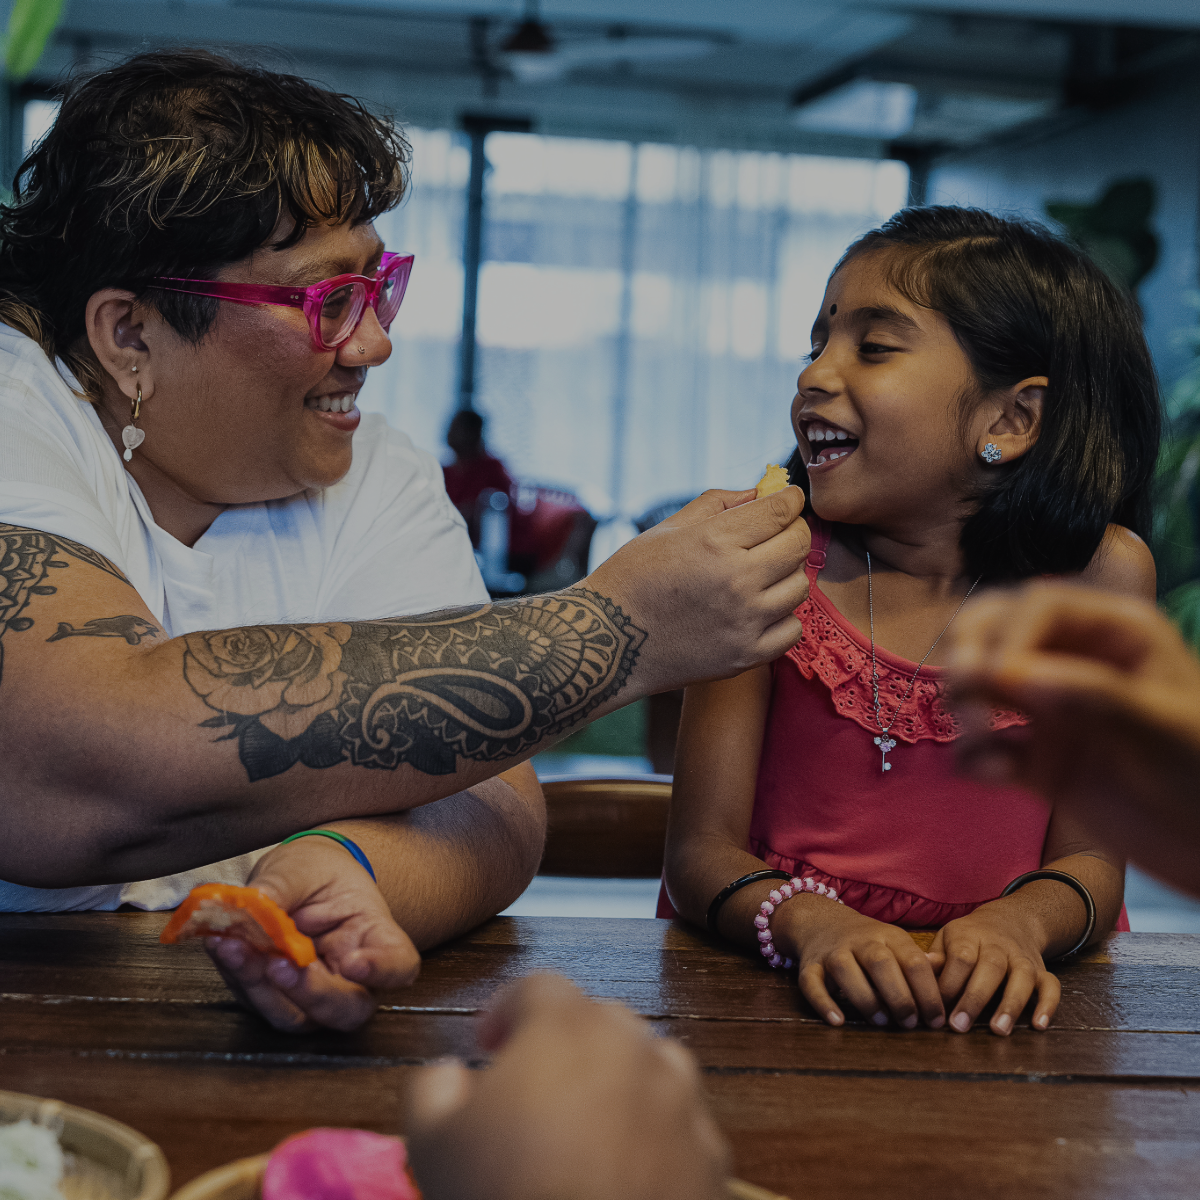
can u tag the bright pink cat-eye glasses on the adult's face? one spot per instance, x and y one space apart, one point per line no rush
334 308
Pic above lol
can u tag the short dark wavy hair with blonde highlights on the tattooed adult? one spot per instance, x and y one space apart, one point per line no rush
179 164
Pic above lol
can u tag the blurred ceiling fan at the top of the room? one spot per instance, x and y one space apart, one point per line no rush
535 56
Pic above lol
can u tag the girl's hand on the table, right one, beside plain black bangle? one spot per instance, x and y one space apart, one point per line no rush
976 955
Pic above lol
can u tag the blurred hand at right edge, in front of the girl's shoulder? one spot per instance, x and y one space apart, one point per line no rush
1114 698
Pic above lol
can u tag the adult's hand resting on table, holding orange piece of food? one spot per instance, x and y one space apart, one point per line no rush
359 946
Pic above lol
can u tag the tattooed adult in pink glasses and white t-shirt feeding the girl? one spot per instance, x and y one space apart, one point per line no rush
207 553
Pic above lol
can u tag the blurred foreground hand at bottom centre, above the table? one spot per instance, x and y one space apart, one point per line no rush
581 1101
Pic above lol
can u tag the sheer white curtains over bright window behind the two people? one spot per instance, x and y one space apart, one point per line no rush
643 310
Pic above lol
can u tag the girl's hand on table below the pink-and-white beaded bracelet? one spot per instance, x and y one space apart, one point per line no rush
878 968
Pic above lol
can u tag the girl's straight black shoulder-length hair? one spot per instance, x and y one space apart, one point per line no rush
1024 303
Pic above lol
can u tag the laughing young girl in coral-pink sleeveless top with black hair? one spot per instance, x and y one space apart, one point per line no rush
980 407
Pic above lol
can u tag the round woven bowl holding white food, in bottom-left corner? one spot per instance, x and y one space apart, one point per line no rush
106 1160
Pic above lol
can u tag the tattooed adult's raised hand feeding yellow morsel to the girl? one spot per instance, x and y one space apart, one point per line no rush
717 584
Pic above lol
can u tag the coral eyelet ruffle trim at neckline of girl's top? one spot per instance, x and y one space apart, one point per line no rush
829 652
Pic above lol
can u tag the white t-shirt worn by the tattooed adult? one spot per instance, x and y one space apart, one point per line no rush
385 542
